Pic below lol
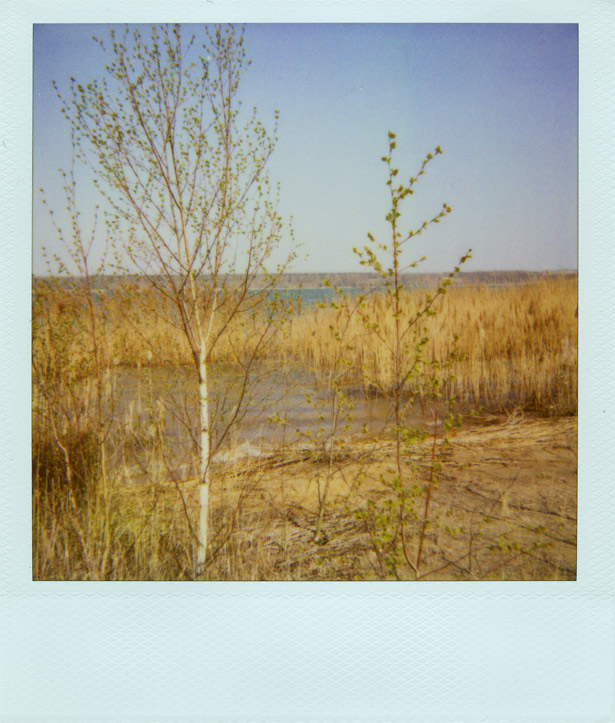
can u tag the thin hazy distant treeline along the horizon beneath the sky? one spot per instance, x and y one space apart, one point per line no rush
364 280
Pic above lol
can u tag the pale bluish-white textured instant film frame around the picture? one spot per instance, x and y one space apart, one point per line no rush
308 651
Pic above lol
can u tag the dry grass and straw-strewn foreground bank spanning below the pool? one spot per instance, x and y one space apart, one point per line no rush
507 513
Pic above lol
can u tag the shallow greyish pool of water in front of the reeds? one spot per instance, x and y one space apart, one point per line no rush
279 407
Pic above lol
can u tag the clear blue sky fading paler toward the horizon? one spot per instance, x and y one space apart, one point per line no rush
501 101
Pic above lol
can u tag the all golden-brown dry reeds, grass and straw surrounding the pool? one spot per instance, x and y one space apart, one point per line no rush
111 499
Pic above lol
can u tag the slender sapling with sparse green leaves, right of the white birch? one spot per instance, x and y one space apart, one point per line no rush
413 376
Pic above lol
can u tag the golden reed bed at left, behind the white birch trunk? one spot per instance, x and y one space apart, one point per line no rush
137 327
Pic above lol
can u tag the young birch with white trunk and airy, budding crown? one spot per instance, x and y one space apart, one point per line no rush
183 168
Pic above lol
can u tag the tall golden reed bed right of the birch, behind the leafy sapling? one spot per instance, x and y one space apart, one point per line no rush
516 345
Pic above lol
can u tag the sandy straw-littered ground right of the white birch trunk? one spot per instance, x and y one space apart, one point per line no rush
503 506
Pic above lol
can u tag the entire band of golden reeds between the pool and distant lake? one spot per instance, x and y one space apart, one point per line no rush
517 344
